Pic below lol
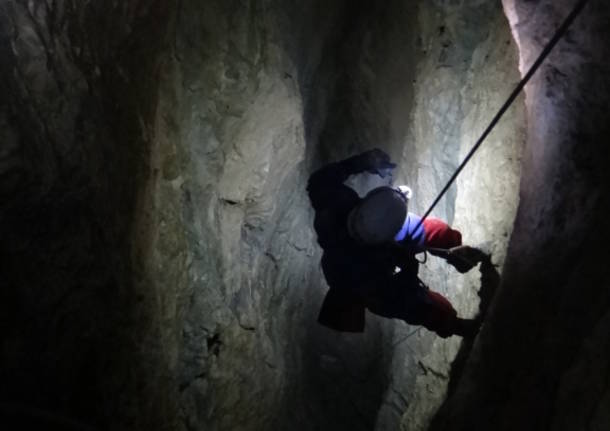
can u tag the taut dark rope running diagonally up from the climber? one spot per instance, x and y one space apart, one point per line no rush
545 52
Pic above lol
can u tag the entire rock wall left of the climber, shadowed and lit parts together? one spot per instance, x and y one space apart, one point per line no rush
159 267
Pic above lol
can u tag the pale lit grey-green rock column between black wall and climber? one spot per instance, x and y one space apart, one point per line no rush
241 157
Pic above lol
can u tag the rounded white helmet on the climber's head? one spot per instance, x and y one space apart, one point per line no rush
379 217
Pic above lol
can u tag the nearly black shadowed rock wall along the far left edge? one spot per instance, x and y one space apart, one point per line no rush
78 93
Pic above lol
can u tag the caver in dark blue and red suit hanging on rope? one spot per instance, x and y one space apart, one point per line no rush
369 246
